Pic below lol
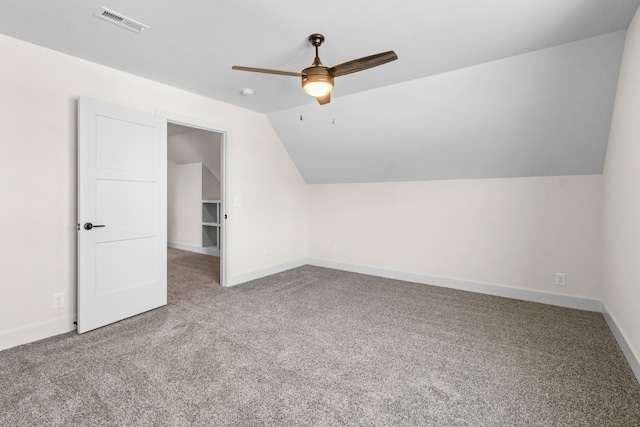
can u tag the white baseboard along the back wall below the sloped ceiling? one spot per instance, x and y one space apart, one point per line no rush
569 301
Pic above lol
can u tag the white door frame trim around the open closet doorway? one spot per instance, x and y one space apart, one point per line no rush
225 156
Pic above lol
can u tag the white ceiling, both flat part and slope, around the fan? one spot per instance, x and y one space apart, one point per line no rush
490 88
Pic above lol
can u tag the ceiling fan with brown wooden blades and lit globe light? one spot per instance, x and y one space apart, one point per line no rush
317 80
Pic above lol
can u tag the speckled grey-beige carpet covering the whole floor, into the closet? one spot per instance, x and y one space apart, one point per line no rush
319 347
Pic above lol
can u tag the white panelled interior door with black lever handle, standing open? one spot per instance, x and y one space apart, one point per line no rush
122 233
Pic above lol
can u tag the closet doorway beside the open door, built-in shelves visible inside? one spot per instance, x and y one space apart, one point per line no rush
196 184
